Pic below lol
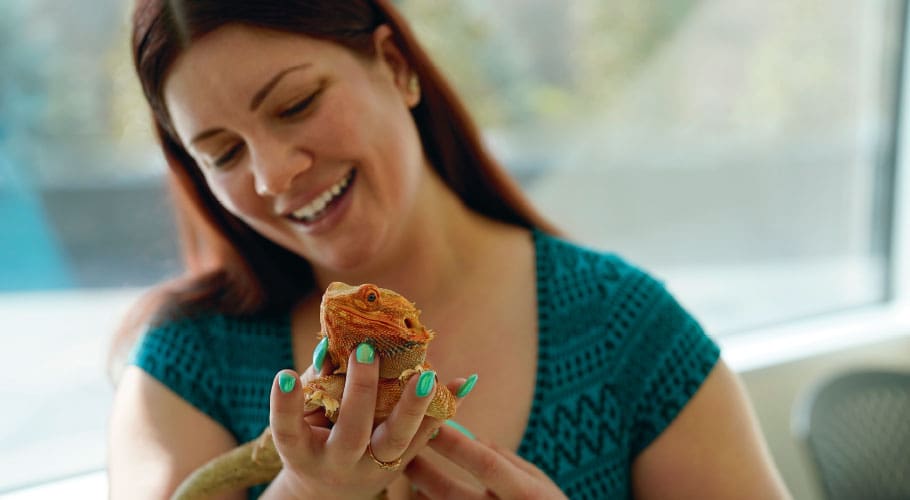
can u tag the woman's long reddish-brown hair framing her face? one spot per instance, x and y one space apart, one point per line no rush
230 267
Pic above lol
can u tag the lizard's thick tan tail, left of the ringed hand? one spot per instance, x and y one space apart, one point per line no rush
252 463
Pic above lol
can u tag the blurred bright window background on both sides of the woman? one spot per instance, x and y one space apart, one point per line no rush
746 153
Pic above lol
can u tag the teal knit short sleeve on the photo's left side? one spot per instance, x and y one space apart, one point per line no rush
175 354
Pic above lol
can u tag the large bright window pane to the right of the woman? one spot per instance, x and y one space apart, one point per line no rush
741 151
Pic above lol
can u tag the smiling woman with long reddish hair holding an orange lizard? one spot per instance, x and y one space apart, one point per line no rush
313 141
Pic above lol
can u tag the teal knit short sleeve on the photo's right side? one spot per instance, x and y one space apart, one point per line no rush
673 358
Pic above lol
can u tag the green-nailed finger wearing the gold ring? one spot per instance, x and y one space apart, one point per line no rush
394 436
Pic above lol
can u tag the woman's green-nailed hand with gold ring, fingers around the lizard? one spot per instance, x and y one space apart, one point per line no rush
336 462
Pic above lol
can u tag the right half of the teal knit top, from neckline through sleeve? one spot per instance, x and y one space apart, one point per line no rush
618 359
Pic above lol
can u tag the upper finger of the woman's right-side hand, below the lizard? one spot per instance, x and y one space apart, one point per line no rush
493 470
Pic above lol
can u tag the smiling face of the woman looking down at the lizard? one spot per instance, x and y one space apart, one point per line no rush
265 162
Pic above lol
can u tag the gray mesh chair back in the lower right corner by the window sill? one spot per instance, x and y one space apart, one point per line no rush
856 428
